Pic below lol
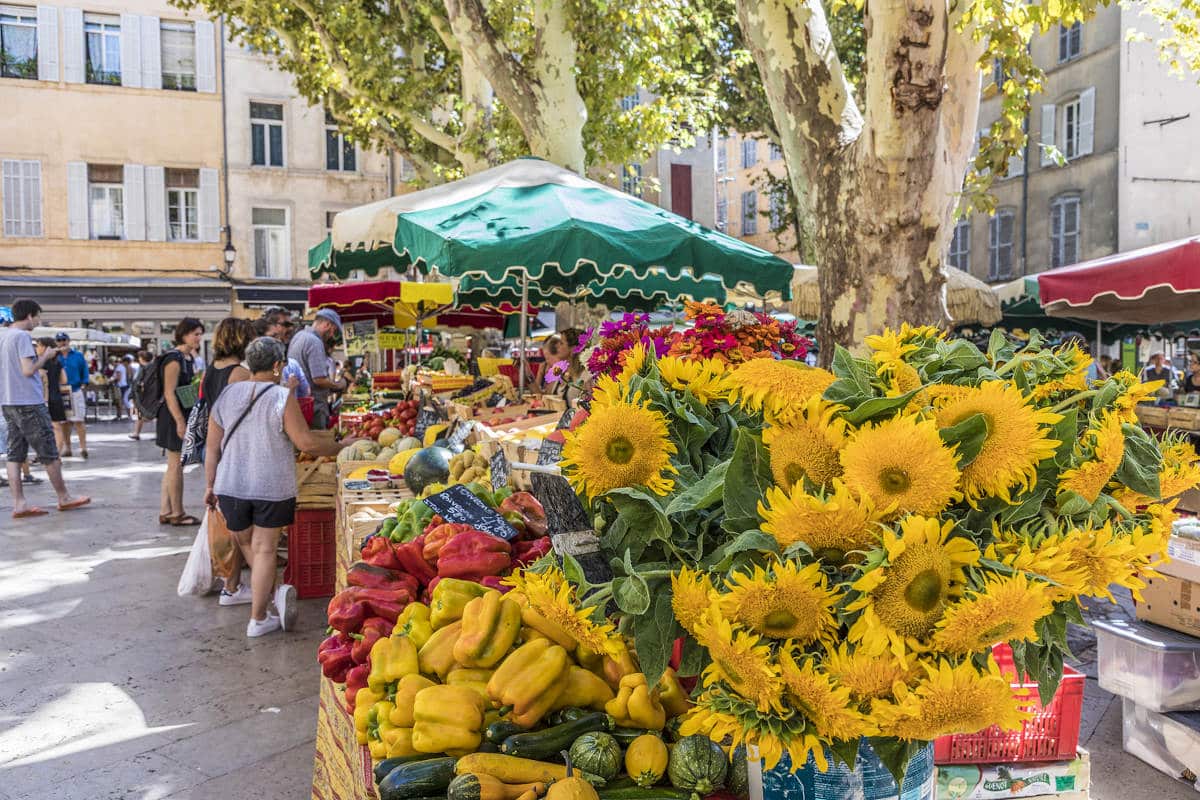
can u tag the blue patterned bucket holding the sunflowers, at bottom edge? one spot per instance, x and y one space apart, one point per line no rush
869 780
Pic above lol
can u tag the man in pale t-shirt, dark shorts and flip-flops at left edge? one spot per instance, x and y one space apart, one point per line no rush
23 406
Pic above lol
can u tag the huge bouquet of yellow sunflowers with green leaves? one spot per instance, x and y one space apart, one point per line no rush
839 551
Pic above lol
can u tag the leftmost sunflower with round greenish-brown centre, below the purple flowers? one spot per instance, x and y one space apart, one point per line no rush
620 446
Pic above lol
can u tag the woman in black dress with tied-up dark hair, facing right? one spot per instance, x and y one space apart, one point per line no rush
177 369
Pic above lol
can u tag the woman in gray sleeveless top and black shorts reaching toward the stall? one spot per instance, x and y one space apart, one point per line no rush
254 431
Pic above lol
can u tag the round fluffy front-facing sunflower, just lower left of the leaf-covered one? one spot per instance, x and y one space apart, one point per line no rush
903 466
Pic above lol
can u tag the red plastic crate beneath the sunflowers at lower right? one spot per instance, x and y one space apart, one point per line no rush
1052 735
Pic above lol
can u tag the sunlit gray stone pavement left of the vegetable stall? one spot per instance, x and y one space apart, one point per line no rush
111 684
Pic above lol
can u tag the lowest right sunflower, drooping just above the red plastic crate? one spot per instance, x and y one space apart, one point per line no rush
951 700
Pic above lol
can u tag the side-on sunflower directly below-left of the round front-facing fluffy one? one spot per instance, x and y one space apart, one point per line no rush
831 525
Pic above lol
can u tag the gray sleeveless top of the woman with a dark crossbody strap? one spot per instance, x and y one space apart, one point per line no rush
259 462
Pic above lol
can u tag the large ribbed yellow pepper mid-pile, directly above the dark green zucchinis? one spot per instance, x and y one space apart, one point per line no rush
531 681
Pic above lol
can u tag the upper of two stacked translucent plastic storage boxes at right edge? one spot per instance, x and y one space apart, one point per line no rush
1156 669
